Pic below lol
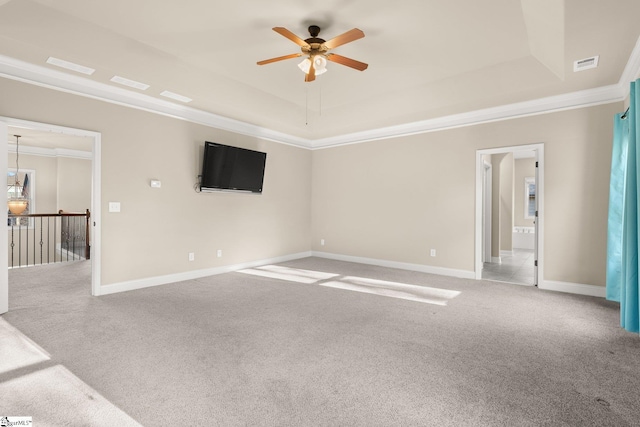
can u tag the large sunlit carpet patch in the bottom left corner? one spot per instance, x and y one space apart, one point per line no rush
55 396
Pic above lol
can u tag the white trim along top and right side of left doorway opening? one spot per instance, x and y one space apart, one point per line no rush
96 193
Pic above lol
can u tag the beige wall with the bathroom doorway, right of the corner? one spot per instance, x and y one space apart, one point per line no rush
395 199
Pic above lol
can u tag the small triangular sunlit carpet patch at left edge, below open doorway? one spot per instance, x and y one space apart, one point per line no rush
17 350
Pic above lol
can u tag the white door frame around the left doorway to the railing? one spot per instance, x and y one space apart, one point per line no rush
95 198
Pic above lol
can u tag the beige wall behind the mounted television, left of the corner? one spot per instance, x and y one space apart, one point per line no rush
157 228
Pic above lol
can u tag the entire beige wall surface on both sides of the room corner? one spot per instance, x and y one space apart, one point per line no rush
390 199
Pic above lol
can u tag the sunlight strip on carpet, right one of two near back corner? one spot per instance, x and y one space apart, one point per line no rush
395 290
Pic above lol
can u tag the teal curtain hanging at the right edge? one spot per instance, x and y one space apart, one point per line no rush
624 220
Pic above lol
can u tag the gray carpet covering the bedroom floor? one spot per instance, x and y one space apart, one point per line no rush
245 350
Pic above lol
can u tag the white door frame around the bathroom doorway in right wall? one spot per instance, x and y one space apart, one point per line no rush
539 149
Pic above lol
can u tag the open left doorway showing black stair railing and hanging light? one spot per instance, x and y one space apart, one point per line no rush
54 171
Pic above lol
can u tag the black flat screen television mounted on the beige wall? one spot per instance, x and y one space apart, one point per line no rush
226 168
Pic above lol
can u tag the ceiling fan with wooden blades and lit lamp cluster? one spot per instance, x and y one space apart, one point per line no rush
316 51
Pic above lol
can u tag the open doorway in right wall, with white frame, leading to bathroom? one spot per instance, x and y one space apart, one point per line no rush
509 214
